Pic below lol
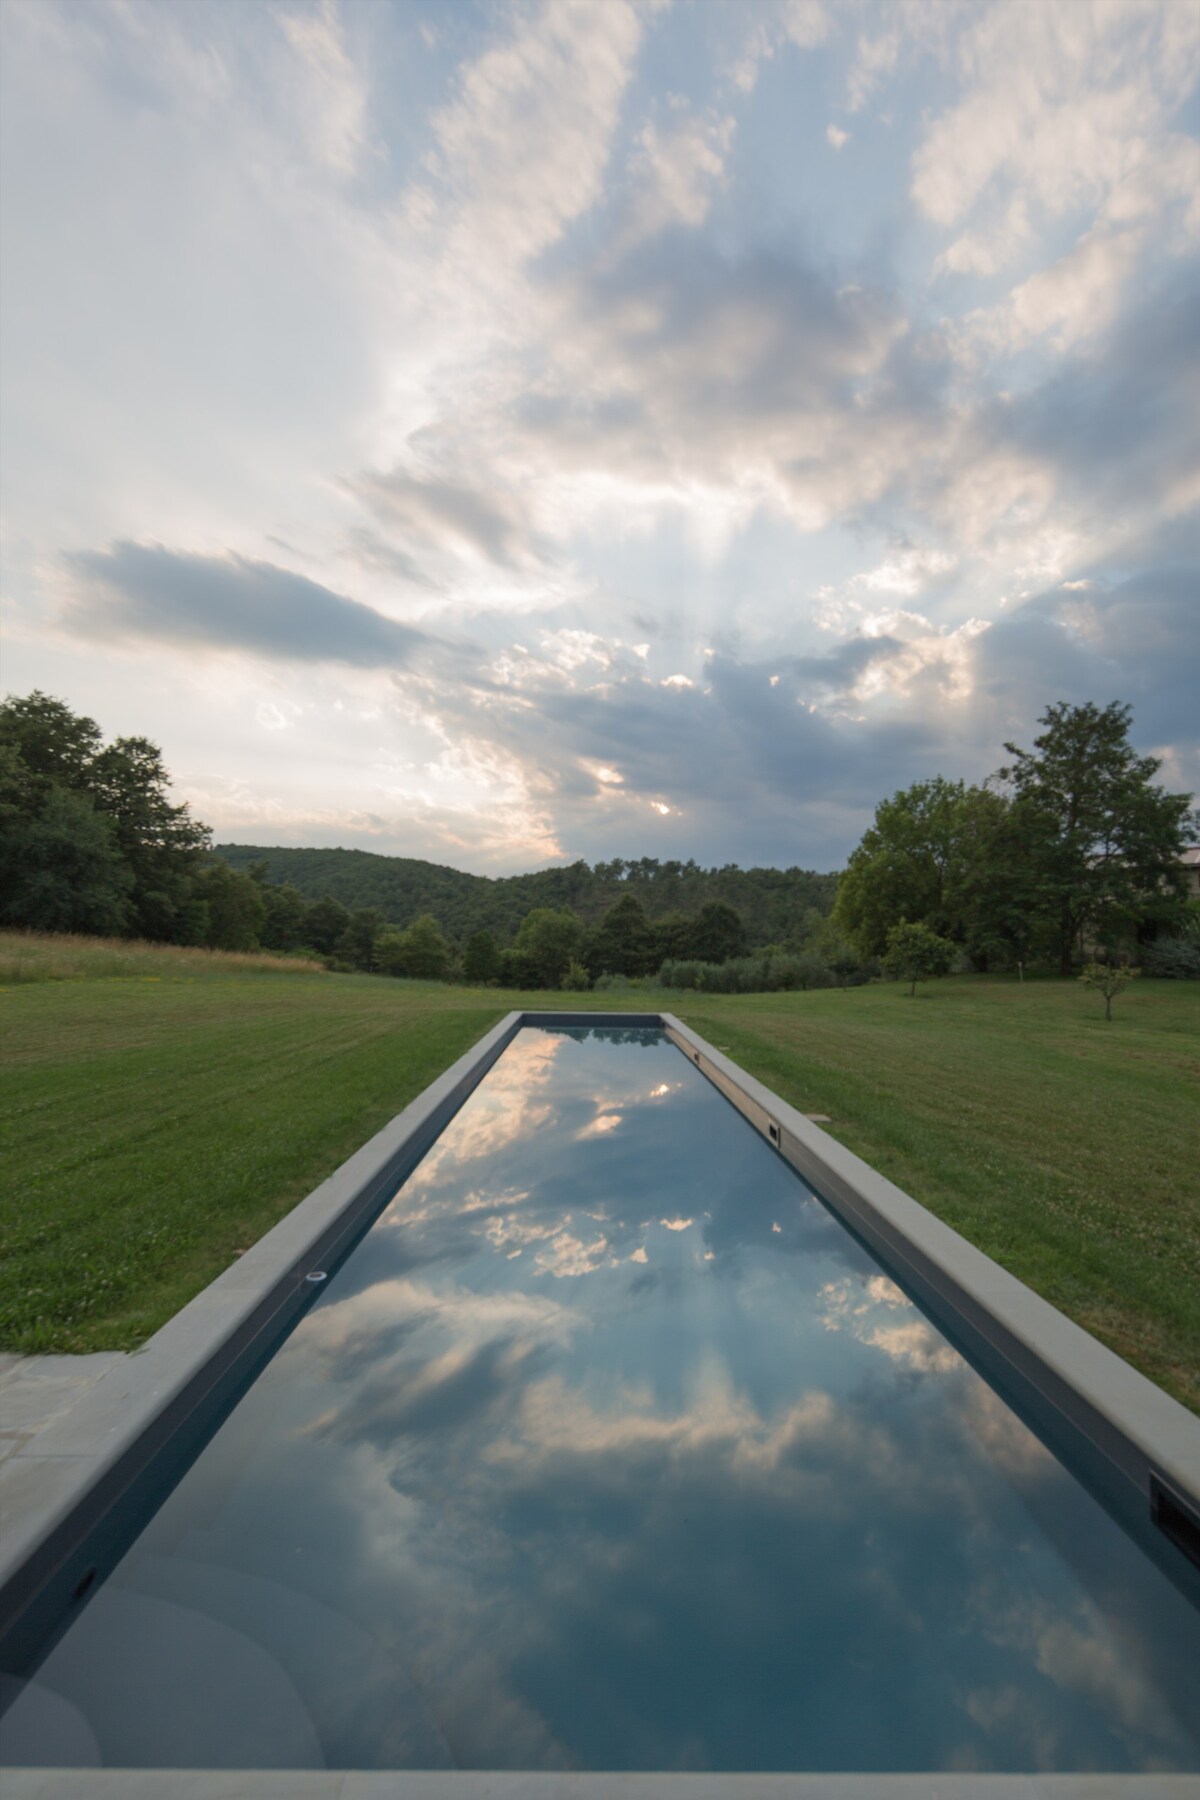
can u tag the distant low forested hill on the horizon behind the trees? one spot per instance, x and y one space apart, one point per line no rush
773 903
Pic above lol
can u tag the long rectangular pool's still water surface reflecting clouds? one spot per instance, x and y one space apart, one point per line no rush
611 1448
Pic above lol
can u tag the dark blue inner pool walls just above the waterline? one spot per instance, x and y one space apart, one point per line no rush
48 1594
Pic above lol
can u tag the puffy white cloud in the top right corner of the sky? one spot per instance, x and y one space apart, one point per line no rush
1066 109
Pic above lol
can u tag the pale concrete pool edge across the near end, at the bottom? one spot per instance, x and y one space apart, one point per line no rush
481 1785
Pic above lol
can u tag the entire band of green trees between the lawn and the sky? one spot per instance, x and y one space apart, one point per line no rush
1070 850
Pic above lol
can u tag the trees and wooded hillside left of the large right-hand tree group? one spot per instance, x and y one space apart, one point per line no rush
93 843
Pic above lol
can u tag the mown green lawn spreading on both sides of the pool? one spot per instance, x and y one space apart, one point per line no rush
159 1119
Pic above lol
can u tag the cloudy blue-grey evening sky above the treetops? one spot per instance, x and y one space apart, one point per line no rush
512 433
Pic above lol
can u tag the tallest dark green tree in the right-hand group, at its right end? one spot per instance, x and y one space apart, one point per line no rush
1104 843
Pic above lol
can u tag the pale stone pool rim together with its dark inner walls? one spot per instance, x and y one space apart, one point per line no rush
62 1486
